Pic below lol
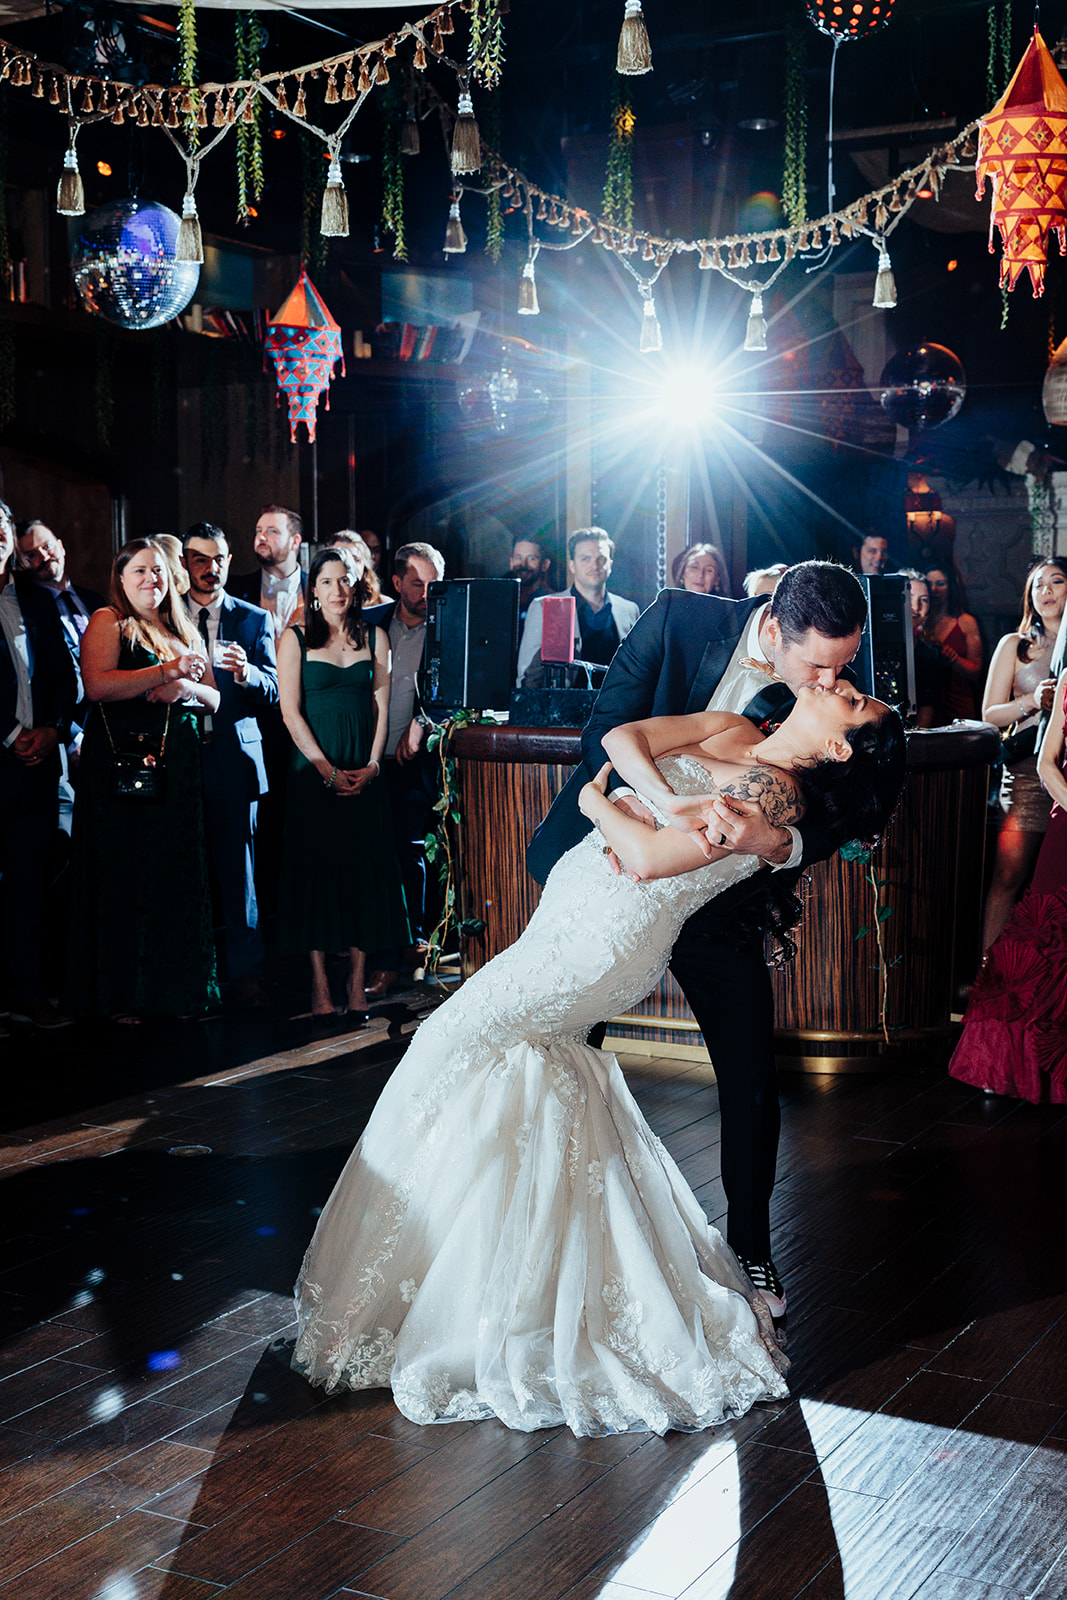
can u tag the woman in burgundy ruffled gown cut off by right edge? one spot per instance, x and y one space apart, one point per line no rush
1015 1031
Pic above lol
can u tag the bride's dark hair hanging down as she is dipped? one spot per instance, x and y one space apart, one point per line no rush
855 799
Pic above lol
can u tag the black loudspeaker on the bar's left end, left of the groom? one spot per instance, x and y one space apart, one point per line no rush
471 644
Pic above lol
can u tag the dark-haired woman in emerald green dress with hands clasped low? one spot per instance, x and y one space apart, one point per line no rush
340 876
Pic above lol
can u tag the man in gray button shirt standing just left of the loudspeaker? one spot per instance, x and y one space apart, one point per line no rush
409 769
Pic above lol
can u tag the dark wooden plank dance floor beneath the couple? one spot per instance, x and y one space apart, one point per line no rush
161 1191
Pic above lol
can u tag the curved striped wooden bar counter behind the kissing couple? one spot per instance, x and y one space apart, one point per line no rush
841 1004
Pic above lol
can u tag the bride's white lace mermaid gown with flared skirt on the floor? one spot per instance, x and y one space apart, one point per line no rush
510 1238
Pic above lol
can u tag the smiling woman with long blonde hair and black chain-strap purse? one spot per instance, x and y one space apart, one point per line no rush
132 951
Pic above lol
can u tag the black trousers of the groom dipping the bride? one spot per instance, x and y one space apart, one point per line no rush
729 988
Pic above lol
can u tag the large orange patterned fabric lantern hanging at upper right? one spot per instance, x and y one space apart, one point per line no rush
1023 151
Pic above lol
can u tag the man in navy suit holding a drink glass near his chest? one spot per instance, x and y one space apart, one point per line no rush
239 639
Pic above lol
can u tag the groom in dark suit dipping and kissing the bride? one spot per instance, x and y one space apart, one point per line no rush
693 654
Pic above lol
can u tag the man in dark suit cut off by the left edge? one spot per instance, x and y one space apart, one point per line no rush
39 690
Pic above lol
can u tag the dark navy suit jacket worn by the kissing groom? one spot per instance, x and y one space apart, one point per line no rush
671 663
